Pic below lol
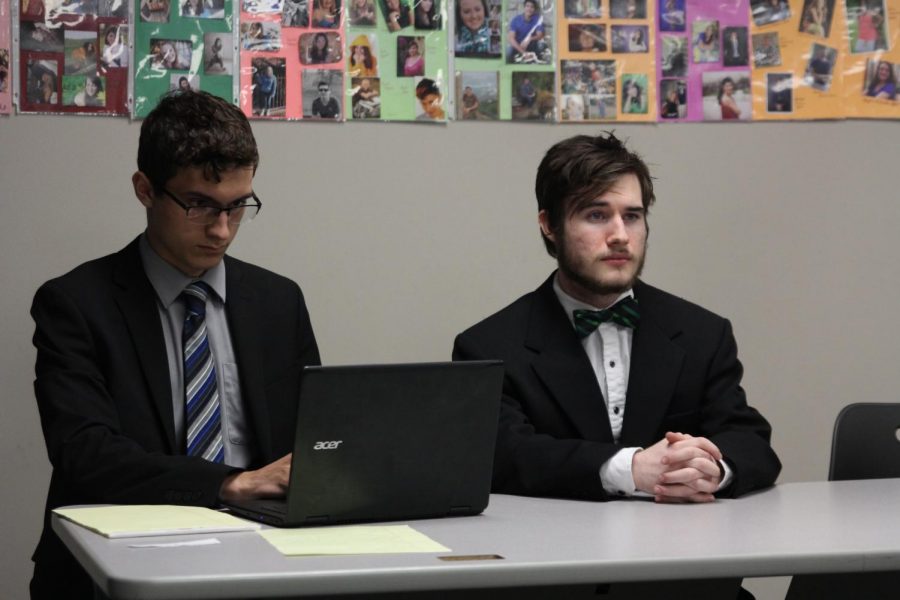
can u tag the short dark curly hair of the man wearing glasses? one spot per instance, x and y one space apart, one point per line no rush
194 129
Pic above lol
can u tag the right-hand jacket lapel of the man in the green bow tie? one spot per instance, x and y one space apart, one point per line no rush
655 365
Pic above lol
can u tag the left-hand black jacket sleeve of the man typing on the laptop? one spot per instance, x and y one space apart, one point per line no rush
94 458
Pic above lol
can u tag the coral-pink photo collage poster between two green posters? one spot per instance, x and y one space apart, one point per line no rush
292 59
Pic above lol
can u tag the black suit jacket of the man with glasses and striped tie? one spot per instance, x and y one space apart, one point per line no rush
102 387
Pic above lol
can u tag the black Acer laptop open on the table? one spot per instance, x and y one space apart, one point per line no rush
389 442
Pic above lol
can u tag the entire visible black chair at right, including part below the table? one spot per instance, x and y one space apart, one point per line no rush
865 445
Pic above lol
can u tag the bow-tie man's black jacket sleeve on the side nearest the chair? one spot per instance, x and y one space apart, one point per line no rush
740 432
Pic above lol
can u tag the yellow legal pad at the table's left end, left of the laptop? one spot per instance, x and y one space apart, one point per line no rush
137 520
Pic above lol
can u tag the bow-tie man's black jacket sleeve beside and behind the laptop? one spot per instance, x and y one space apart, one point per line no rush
532 463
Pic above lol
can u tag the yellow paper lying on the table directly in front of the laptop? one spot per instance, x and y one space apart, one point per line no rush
356 539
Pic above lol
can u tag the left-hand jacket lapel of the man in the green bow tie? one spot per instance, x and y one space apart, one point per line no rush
563 366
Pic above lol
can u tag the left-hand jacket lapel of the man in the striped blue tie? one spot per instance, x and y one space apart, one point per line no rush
136 299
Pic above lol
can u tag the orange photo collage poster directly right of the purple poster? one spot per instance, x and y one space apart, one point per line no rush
798 49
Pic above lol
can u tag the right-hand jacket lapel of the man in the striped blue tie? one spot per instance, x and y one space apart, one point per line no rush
240 307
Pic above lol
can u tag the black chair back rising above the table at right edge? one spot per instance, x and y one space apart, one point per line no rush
866 442
